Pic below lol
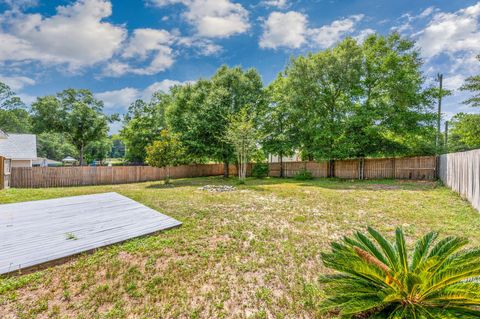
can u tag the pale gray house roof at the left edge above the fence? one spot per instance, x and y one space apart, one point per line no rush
19 146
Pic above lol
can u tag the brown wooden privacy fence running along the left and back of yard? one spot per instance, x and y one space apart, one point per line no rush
402 168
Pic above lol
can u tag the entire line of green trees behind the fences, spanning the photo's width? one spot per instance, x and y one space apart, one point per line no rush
366 99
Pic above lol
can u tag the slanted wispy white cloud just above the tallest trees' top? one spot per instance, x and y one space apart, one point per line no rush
328 35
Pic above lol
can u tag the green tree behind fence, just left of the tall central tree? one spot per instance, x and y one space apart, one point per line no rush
142 125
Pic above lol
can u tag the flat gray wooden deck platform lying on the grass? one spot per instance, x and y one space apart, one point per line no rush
38 232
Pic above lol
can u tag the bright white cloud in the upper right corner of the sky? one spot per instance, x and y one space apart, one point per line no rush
451 32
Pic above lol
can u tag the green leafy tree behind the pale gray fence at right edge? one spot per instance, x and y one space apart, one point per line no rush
464 132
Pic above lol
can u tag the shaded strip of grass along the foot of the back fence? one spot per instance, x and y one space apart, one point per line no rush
328 183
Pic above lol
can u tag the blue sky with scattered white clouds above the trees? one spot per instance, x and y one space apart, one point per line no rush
124 50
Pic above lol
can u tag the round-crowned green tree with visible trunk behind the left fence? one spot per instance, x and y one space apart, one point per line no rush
74 113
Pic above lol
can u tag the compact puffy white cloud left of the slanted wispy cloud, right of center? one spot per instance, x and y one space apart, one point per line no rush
284 30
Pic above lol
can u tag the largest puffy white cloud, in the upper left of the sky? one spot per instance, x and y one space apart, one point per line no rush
76 35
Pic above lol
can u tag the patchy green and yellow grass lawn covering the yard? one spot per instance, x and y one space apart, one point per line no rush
251 253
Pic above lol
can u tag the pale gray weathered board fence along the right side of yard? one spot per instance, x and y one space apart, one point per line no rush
461 172
